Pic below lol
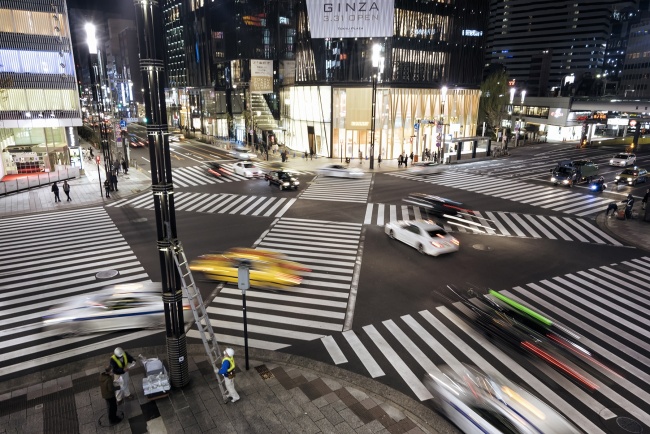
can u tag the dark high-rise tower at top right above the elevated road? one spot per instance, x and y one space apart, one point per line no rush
542 42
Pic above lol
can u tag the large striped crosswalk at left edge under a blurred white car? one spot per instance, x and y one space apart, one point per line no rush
45 265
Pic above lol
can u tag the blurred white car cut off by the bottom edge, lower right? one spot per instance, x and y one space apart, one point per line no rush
478 402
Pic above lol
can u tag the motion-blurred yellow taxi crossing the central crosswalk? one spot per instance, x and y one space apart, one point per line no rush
267 269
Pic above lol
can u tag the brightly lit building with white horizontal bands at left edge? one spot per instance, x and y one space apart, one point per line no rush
39 101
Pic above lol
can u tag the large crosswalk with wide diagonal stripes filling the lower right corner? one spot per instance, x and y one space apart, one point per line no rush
608 306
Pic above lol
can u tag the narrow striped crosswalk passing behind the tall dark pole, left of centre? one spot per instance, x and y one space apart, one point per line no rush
220 203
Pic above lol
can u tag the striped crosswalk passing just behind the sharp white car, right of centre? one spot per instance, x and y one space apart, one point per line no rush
499 223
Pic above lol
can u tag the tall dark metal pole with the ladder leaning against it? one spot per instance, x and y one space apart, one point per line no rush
149 22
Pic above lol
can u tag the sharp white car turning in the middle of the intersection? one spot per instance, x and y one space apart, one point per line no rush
423 235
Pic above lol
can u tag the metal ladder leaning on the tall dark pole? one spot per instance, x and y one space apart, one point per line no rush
200 315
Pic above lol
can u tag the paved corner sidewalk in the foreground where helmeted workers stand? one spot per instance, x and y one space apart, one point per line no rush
280 393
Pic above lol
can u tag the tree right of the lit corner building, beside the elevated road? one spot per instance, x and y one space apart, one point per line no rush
494 98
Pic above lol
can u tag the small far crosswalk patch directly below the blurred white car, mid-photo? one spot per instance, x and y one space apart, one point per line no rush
338 190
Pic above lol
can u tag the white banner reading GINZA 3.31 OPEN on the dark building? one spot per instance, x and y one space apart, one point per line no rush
350 18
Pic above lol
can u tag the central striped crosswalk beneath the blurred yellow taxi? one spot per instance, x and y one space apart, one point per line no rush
315 308
